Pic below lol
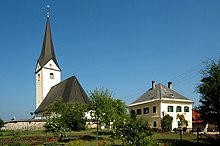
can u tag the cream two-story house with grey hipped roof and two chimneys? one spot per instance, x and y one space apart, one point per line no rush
159 101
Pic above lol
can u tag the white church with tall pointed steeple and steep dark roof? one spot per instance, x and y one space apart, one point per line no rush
49 86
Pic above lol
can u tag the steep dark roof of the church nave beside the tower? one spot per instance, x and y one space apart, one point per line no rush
69 90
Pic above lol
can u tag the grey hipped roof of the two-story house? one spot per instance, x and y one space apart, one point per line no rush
160 91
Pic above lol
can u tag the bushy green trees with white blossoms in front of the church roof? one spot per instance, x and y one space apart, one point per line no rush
62 116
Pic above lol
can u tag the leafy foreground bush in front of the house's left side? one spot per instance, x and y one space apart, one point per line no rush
133 131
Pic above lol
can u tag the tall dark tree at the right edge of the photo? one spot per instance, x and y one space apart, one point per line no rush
209 89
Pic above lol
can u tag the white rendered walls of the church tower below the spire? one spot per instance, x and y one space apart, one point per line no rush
44 83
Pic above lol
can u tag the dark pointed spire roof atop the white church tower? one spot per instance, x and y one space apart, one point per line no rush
47 52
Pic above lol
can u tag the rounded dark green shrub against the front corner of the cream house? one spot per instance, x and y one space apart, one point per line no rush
166 123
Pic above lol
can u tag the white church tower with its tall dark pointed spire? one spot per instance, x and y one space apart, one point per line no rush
47 72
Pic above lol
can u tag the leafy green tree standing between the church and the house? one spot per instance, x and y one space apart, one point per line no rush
106 109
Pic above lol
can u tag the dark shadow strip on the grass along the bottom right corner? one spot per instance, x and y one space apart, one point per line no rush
173 142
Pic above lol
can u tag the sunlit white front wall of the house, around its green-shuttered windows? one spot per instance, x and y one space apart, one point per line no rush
187 115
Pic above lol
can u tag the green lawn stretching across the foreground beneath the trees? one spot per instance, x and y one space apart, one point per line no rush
88 138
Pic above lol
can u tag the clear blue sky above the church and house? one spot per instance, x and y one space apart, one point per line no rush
121 45
